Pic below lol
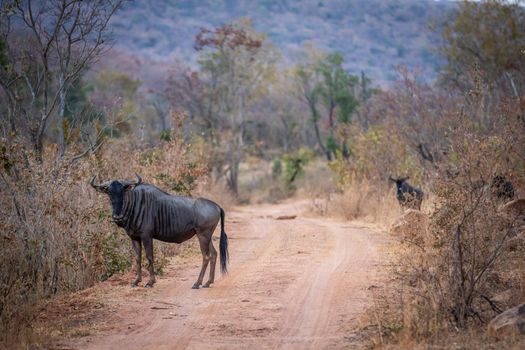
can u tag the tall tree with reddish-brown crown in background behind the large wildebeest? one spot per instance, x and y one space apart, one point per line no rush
238 63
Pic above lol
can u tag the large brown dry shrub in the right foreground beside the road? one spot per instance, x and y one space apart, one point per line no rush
465 267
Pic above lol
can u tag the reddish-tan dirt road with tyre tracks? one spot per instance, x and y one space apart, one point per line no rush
293 284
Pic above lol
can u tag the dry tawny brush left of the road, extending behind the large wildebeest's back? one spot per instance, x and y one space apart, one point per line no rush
56 231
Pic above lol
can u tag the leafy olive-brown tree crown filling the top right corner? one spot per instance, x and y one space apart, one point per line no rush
489 36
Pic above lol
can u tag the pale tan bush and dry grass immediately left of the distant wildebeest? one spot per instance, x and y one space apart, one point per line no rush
364 191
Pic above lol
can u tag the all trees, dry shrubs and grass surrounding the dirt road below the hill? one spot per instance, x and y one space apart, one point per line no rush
243 127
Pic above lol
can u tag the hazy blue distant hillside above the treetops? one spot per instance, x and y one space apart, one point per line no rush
373 35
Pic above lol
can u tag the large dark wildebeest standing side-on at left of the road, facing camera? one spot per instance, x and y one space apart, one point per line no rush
147 212
